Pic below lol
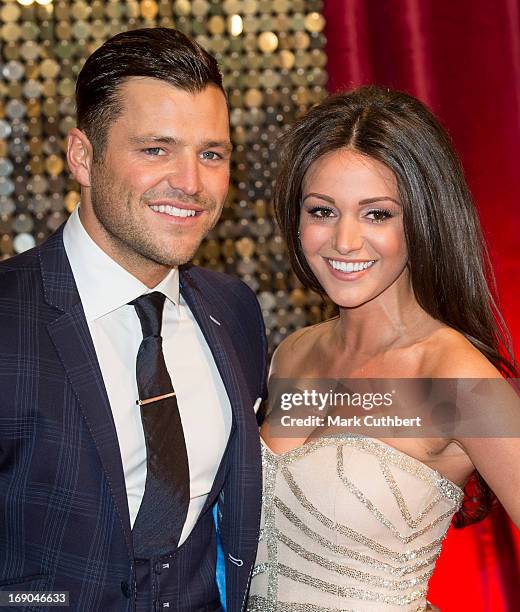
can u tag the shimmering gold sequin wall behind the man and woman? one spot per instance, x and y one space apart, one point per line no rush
271 53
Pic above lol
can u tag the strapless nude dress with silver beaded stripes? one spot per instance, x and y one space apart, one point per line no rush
349 524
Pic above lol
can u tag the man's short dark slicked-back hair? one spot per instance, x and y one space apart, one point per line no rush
159 53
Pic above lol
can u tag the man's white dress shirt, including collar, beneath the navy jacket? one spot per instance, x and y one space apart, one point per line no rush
105 288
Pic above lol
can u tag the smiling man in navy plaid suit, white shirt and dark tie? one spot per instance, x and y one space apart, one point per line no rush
129 454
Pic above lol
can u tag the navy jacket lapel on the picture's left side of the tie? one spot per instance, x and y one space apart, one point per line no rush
71 337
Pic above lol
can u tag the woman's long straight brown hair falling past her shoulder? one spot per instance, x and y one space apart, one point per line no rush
449 264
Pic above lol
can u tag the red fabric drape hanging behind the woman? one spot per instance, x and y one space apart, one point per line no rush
461 57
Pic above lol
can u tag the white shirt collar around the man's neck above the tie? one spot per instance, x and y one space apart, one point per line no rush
103 285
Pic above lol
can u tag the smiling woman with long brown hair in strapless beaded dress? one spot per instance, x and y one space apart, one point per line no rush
374 207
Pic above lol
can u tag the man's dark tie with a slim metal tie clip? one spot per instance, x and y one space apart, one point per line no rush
164 507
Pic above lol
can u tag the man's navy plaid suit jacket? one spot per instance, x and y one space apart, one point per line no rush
64 521
